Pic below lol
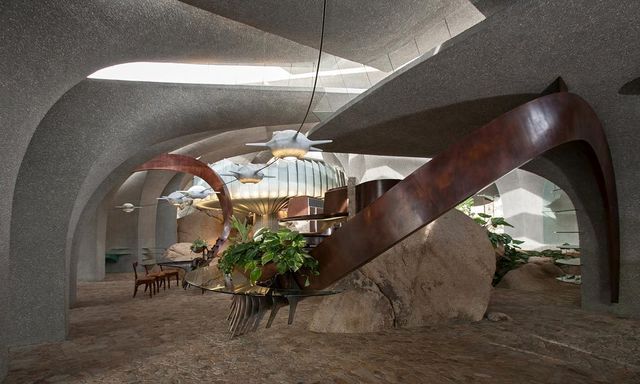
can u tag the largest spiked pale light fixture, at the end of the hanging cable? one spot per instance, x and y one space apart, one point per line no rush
290 144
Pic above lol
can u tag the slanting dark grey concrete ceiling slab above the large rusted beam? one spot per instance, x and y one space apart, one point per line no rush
490 69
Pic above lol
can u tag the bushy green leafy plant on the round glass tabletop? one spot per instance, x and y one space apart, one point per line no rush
267 254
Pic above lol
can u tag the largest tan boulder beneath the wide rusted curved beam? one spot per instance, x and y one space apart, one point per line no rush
441 272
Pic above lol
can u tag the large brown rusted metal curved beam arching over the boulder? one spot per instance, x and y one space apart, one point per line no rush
464 169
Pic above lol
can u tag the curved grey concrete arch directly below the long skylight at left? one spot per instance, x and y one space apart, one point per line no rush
129 121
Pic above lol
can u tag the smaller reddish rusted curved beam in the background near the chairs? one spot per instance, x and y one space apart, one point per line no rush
186 164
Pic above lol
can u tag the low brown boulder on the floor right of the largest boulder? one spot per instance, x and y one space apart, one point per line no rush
533 277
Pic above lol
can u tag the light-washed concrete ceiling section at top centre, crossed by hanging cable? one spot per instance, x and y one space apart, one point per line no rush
364 31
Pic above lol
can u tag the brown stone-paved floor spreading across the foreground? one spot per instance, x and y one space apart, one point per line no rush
180 337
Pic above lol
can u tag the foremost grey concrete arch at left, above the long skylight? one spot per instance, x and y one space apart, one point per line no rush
50 46
